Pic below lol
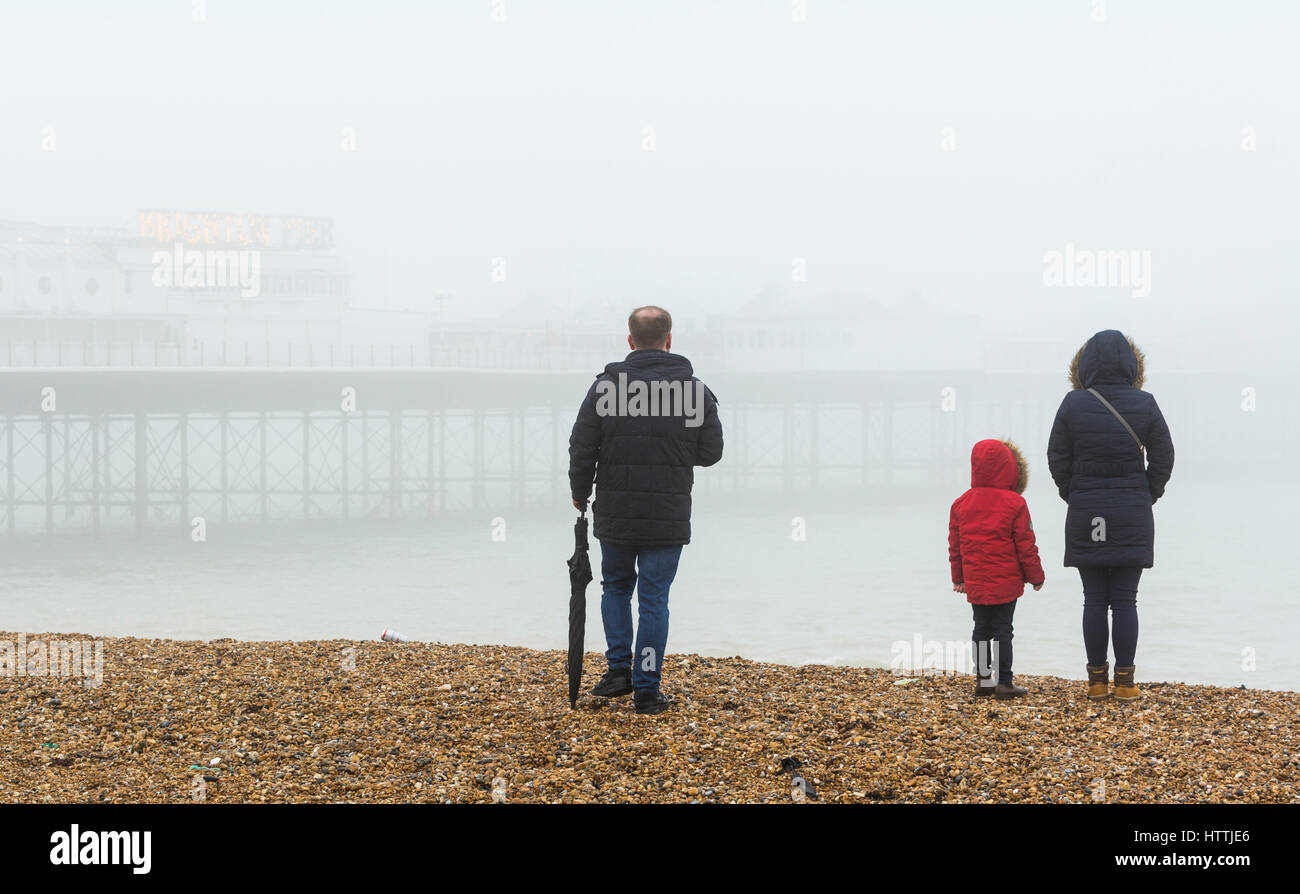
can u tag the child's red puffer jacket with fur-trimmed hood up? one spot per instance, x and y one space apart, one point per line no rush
991 544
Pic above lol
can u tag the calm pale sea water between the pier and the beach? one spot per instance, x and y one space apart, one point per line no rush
860 584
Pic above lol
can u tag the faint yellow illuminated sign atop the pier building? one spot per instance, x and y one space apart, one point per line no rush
274 232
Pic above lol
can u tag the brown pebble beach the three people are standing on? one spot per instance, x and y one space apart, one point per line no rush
229 722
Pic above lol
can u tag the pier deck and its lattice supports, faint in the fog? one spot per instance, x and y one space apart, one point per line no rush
94 449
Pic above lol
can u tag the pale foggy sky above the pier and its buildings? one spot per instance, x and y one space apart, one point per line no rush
774 140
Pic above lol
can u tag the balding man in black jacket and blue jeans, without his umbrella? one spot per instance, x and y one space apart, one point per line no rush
645 423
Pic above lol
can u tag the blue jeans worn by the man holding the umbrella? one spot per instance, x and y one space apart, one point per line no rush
651 572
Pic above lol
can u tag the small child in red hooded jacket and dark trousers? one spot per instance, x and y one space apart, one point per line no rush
994 554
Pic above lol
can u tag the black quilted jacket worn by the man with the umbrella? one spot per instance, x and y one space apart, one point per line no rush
643 465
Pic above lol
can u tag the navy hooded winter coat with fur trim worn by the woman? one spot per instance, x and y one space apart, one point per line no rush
1098 466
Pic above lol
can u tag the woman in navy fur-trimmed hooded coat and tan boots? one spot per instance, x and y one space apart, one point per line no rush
1095 455
